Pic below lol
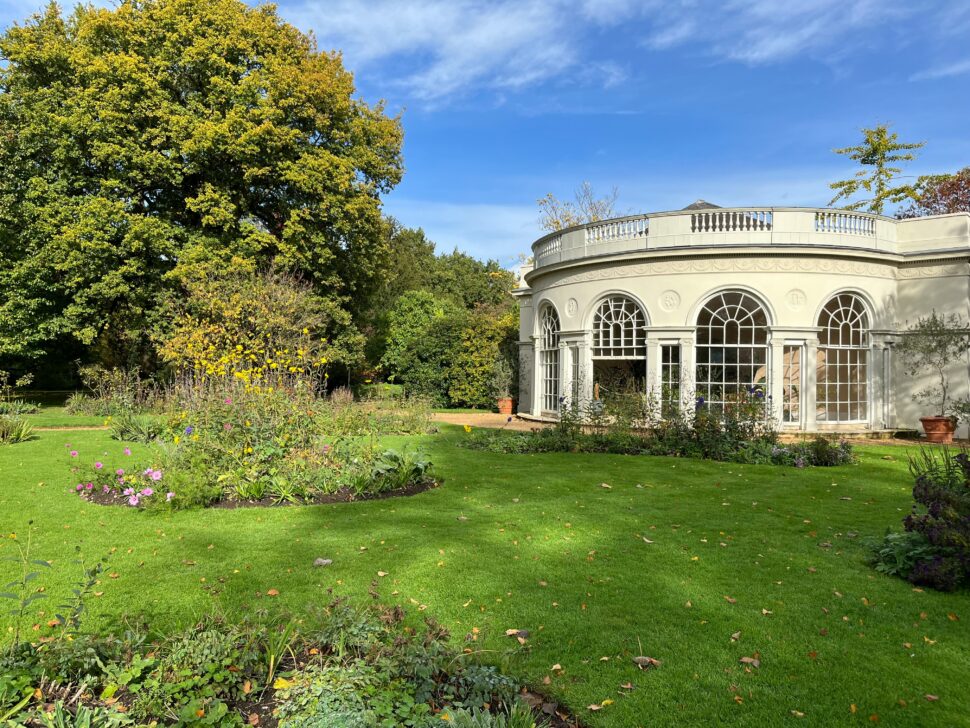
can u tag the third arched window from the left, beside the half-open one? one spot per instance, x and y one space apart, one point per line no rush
732 348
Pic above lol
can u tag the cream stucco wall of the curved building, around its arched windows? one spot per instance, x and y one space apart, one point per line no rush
902 270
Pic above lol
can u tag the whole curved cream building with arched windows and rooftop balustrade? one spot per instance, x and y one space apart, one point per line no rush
804 305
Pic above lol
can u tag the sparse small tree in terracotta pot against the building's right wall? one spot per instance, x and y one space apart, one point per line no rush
927 348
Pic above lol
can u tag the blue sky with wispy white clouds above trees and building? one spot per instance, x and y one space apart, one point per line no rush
734 102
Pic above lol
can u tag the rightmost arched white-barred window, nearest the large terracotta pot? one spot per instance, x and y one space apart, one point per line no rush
842 372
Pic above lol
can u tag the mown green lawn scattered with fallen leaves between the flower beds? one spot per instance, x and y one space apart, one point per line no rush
545 548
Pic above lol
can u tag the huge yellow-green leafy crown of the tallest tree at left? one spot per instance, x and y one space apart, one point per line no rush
141 141
